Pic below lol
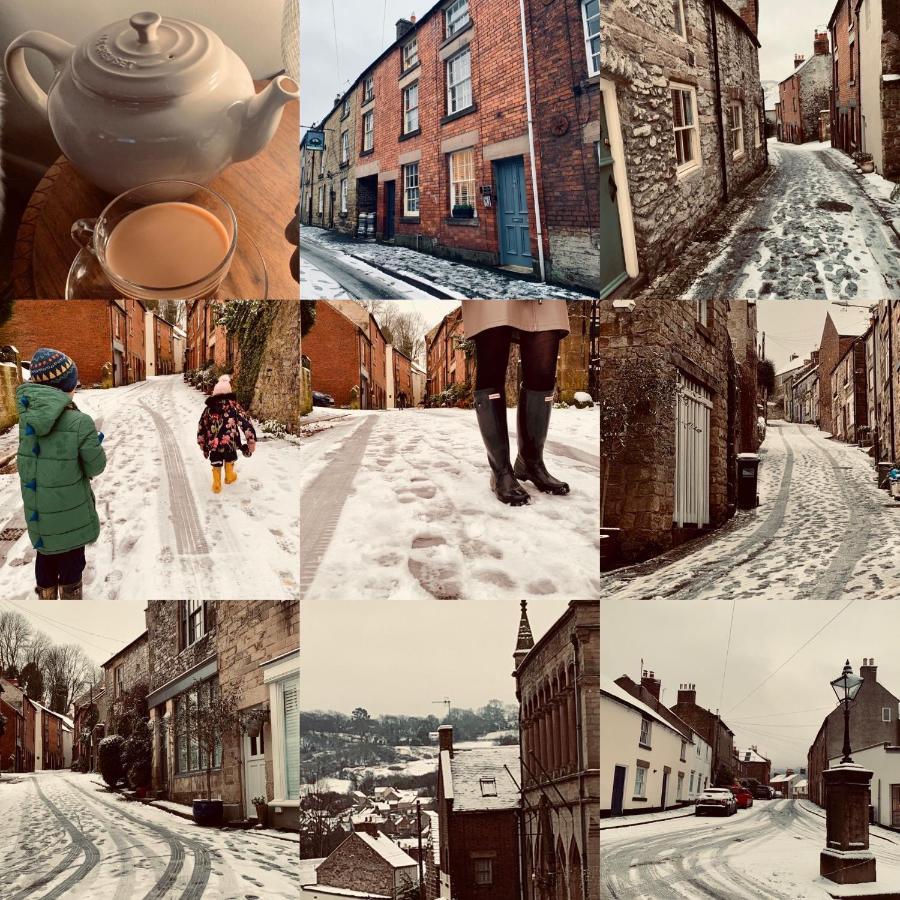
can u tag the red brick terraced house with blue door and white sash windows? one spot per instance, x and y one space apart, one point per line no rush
434 143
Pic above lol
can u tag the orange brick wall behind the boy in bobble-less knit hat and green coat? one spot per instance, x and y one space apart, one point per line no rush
83 332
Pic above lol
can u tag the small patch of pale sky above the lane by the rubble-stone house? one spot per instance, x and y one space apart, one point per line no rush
786 29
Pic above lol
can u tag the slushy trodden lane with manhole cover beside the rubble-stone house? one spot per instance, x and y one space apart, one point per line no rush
812 227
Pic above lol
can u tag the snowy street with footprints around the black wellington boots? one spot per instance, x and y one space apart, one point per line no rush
398 505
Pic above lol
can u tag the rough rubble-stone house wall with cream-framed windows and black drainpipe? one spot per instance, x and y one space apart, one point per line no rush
642 55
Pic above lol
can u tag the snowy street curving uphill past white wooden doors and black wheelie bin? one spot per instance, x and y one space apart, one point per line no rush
822 531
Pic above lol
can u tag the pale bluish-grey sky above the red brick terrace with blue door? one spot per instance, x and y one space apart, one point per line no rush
364 29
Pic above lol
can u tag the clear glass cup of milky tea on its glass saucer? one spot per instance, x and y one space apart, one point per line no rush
94 275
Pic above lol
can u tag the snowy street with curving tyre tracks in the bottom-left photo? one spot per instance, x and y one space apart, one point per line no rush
65 835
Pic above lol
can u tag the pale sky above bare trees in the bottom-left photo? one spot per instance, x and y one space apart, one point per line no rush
100 627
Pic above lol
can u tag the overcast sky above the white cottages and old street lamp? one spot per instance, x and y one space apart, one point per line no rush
685 641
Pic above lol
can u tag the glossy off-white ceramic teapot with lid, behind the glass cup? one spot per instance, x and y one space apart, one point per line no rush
150 98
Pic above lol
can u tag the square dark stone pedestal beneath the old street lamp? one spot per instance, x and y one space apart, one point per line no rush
847 858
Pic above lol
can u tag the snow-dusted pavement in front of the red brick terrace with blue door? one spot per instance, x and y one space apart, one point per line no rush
453 279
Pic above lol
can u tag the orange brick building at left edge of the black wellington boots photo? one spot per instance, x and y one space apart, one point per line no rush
333 350
